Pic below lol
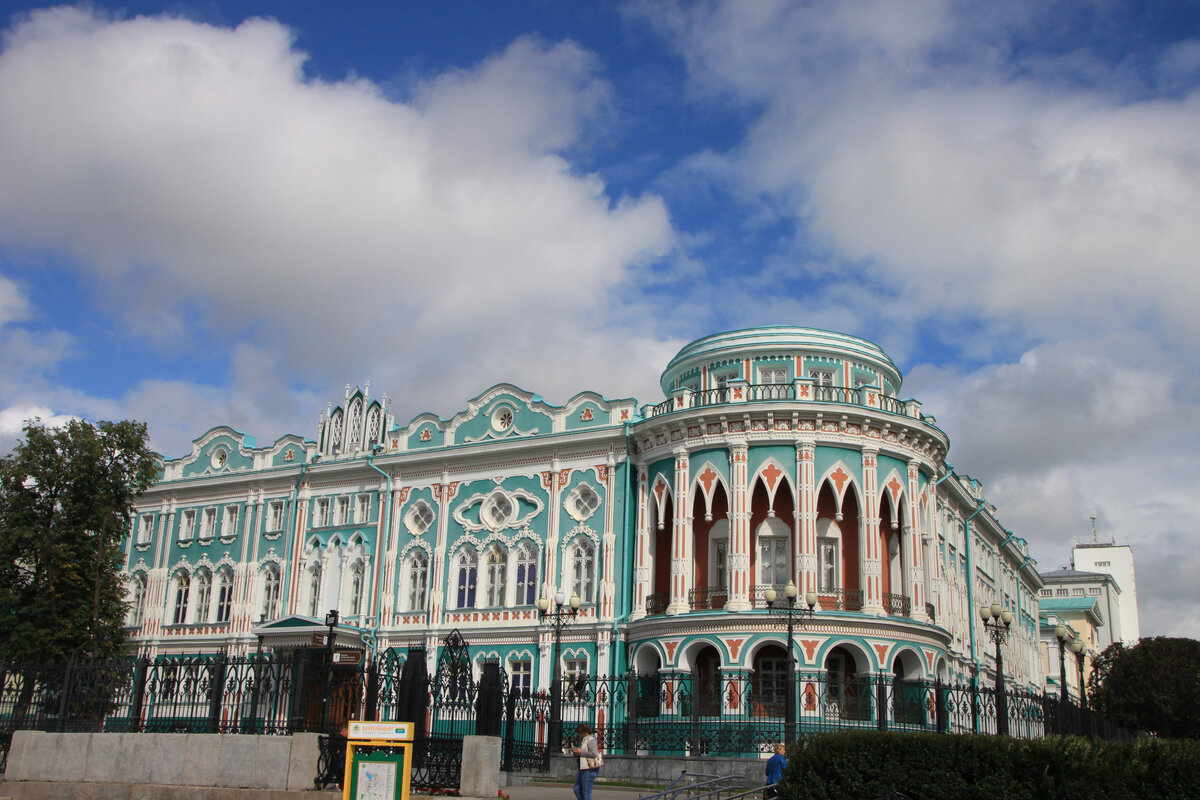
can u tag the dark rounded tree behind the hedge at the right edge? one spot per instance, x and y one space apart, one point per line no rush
1153 687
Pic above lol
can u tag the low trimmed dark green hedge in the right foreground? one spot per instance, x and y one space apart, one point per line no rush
869 766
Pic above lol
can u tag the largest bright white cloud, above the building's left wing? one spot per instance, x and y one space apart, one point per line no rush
433 245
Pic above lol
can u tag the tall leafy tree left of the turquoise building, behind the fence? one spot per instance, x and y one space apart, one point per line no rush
67 501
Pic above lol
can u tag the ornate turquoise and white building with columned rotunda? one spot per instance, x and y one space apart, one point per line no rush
778 455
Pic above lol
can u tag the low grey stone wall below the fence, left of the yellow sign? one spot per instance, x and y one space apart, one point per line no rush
165 760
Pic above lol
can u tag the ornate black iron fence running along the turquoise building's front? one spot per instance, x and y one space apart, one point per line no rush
667 713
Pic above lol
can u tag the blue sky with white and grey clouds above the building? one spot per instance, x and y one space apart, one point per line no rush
220 213
